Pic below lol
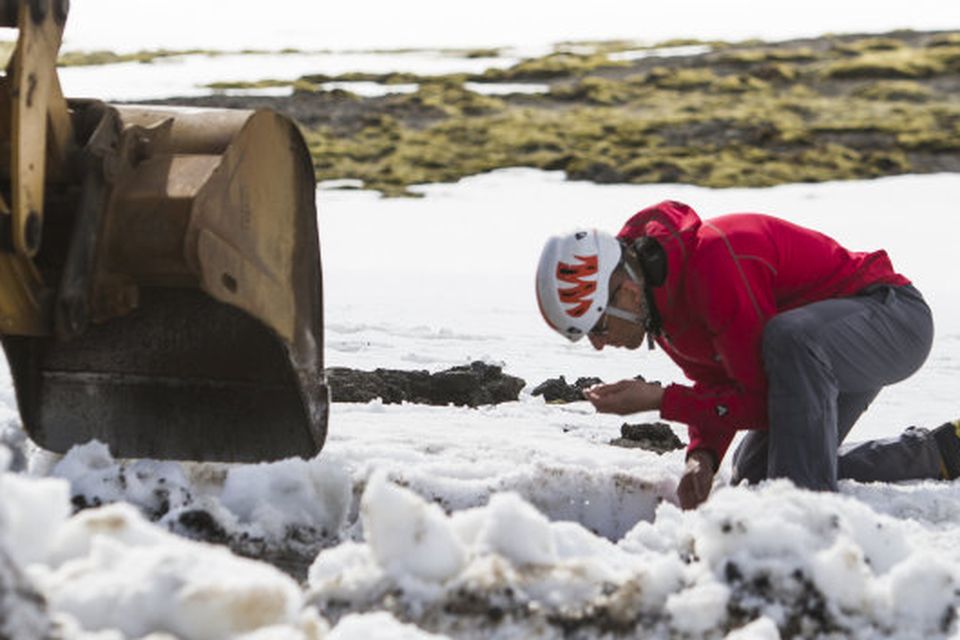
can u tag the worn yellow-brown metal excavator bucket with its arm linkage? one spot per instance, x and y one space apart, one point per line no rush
160 282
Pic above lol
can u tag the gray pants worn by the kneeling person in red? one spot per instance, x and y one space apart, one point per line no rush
825 363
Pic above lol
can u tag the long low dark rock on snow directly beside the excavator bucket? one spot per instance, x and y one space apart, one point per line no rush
469 385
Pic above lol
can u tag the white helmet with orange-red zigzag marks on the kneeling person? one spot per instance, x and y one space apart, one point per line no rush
573 280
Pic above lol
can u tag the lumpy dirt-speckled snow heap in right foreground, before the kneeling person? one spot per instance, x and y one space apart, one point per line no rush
754 563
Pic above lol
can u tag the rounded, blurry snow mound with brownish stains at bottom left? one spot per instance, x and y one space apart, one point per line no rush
111 569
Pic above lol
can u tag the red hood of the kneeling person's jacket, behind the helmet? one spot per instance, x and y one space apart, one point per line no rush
674 225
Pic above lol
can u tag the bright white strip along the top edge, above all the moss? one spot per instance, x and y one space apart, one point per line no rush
366 24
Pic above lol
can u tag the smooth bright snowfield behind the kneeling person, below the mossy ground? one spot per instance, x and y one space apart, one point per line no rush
487 232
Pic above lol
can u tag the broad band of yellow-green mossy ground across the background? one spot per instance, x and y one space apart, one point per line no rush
747 114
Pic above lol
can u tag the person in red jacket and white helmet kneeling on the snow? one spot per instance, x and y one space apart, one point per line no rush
781 330
